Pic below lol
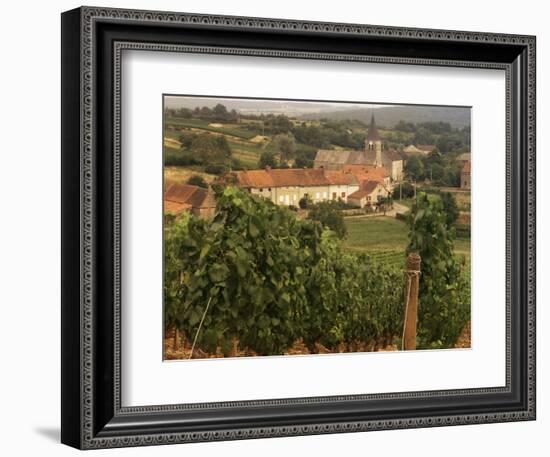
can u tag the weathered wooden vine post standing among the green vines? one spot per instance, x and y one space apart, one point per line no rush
412 276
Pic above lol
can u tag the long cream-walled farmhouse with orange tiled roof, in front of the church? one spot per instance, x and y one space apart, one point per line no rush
288 186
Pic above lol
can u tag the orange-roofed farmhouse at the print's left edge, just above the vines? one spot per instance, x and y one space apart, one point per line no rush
185 197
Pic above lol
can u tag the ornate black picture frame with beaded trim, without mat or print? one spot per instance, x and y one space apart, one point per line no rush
92 42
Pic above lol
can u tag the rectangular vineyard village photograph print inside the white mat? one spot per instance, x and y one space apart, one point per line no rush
296 227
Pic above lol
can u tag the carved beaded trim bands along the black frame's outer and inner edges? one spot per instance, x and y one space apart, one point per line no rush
88 438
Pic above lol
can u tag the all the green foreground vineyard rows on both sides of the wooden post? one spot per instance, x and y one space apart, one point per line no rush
257 280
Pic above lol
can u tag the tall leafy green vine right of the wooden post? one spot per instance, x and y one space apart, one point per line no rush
444 291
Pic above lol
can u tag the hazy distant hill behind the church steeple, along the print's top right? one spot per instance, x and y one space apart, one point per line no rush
389 116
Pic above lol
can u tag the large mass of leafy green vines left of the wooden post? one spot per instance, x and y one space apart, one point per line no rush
271 278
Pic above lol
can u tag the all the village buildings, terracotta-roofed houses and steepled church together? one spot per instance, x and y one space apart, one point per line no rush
357 177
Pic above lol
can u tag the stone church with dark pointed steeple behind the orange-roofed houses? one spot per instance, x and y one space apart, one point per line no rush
372 155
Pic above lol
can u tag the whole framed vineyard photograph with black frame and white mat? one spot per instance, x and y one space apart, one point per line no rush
274 227
